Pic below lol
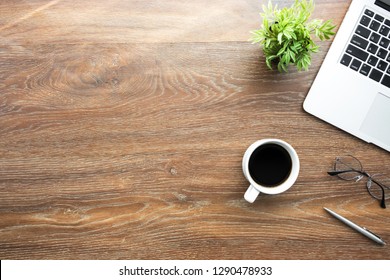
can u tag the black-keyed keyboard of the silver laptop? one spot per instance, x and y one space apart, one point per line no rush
368 52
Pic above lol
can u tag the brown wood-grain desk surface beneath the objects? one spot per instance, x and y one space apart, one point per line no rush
123 125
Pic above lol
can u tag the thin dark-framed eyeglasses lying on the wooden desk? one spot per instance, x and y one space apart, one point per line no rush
349 168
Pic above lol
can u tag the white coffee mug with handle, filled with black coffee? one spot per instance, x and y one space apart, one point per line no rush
281 184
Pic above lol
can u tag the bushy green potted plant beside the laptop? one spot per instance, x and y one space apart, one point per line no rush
286 34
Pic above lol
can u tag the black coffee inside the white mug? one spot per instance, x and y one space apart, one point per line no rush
270 165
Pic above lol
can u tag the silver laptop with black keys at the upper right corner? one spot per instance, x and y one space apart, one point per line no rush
352 88
